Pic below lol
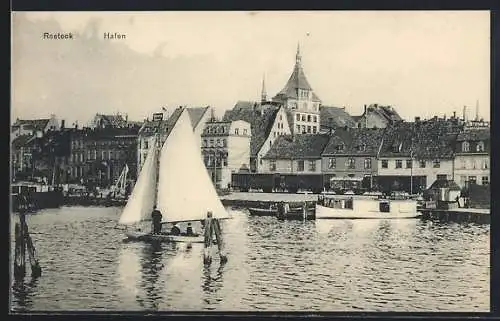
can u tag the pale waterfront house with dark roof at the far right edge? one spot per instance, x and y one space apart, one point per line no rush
472 157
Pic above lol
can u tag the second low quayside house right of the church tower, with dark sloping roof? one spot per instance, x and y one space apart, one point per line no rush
352 154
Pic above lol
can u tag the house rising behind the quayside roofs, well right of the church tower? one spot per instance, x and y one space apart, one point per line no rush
377 116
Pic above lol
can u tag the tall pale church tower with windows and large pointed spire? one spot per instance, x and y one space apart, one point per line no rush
298 97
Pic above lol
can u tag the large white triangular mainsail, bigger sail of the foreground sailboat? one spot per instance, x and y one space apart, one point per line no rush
185 190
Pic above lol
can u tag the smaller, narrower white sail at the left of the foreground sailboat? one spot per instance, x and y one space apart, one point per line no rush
141 201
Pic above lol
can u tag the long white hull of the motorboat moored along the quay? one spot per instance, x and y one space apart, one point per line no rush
323 212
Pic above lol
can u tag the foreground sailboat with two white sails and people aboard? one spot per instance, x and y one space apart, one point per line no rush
175 180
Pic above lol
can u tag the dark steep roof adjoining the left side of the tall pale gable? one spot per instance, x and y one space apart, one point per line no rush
260 119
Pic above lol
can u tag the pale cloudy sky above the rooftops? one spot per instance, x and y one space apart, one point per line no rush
423 63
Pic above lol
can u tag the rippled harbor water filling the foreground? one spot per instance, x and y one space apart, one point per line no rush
324 265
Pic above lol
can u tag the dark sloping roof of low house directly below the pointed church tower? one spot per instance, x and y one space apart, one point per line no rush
298 147
